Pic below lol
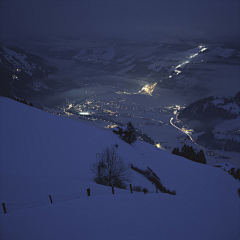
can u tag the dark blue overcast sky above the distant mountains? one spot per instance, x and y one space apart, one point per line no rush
133 20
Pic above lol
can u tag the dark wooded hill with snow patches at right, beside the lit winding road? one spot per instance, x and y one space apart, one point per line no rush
220 118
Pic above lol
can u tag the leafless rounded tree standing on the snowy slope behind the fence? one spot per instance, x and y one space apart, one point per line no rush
110 169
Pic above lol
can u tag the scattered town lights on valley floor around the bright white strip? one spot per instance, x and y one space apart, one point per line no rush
101 110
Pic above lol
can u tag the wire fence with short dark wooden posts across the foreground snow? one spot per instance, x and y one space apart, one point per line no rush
54 199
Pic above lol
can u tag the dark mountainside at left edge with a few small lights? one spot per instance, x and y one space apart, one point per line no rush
25 75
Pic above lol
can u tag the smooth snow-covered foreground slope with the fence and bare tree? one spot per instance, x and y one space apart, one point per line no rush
44 154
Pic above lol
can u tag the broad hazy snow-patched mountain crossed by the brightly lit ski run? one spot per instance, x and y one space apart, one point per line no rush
192 69
